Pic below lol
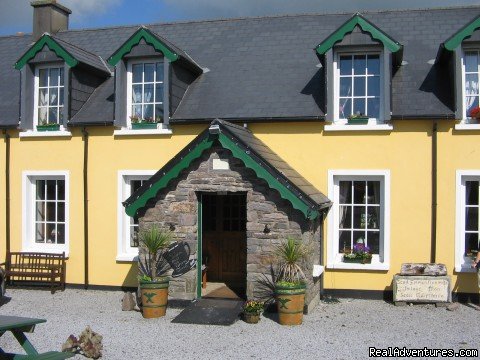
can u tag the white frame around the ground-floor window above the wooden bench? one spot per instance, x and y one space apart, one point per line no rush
28 211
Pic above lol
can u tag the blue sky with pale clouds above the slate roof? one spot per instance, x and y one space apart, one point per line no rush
16 15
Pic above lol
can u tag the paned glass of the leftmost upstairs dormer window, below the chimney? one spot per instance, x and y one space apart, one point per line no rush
50 94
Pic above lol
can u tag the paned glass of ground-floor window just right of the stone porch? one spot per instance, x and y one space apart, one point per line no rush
359 210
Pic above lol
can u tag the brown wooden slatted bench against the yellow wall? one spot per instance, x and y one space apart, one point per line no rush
36 267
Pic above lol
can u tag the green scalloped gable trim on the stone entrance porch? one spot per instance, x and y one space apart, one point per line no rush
310 209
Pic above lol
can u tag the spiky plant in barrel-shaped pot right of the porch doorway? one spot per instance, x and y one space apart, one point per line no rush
290 285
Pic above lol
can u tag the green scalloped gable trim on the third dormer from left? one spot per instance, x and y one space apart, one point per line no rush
365 25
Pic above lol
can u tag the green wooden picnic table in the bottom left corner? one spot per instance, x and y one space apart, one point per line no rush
18 326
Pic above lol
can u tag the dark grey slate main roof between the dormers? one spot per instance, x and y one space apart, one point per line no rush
266 68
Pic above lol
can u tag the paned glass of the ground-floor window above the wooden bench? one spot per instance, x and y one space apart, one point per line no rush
49 221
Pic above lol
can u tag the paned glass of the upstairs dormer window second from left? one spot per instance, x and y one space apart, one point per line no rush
147 91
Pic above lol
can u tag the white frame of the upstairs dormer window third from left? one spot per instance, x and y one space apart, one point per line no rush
336 67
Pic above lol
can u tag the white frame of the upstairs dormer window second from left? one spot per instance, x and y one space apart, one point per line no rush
165 89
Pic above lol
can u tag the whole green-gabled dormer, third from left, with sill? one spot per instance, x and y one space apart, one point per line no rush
359 59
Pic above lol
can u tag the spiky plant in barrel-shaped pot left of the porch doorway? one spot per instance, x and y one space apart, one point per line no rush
152 265
